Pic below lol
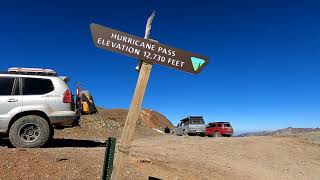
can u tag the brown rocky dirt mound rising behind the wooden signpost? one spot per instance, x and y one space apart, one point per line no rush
110 122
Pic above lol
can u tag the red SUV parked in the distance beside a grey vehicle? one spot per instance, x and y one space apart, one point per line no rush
218 129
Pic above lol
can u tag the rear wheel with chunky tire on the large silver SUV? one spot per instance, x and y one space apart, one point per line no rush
29 132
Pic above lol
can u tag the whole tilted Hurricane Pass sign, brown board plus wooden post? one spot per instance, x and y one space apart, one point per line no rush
149 52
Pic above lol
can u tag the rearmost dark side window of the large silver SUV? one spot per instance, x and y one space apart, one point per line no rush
37 86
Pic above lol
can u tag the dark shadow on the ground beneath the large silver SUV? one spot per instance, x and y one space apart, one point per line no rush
61 143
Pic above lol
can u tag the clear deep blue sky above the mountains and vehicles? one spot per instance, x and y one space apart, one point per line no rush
264 55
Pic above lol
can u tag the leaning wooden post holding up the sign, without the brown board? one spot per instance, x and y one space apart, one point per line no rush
123 149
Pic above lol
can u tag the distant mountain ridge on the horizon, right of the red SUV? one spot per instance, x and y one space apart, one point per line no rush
280 132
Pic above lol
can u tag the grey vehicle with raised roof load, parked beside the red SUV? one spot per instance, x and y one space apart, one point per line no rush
192 125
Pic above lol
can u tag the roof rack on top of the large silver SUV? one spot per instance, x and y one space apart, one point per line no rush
32 71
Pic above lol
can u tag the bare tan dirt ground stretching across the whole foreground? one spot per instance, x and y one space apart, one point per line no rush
170 157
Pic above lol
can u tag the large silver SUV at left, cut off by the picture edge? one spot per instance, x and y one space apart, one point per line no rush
32 102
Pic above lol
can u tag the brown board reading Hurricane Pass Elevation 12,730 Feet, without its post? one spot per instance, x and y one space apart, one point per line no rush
147 50
